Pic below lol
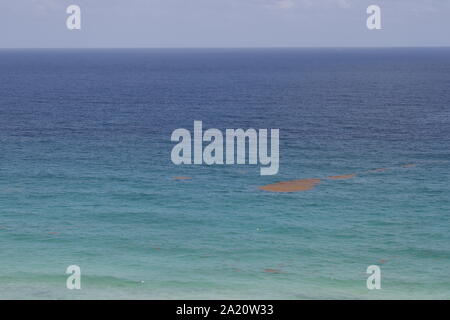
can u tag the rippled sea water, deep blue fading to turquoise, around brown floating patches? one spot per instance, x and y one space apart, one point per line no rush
86 176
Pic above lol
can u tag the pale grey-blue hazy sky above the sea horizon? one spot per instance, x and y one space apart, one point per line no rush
223 23
